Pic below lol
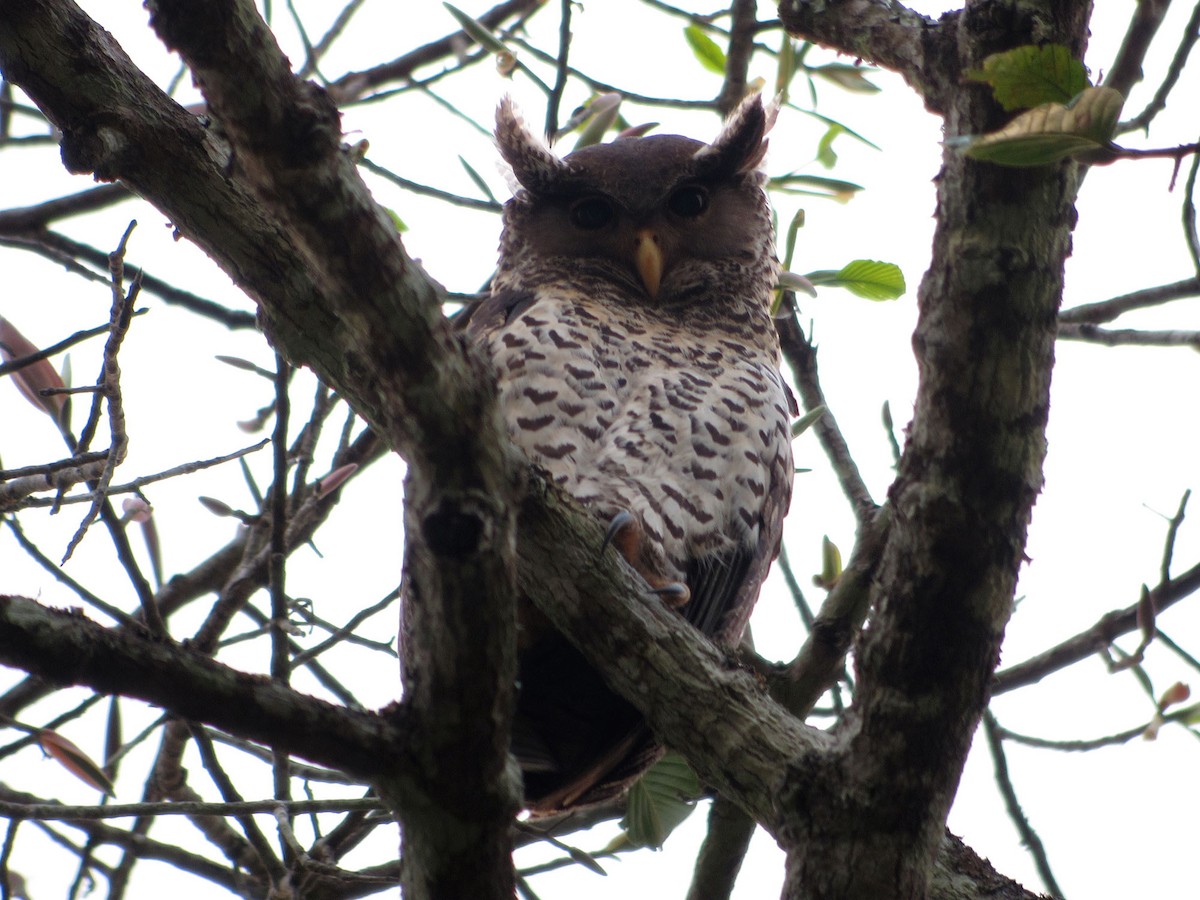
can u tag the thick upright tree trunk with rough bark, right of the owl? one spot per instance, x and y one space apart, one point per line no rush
869 818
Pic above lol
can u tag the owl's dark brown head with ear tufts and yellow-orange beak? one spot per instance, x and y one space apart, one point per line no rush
664 218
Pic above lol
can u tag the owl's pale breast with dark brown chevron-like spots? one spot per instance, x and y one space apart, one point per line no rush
688 431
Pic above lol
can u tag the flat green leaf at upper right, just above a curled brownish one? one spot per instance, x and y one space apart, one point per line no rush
1029 76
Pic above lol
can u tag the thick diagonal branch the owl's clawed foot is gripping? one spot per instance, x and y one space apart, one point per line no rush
703 704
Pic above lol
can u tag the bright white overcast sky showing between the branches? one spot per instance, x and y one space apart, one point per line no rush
1124 434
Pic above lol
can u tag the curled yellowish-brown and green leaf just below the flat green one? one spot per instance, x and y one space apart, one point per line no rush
1051 133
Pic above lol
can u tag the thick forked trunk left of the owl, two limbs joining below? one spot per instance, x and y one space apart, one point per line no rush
283 211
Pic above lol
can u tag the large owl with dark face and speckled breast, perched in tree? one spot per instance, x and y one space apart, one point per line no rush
629 326
